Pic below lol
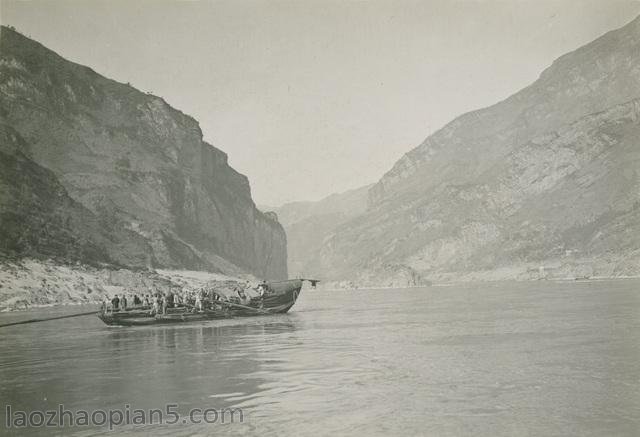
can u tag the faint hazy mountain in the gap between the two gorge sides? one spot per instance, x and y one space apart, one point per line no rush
308 224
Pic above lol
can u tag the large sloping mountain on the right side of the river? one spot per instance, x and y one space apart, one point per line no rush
542 184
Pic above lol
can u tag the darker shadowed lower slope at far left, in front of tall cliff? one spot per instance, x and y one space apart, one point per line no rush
39 218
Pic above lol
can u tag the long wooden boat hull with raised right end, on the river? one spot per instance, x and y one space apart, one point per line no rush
278 298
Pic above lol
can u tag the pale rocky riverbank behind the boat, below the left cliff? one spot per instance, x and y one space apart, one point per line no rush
30 283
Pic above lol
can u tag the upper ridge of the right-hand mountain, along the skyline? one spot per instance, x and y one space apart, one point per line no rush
595 77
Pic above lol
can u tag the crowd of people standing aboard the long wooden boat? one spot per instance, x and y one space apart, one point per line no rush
195 300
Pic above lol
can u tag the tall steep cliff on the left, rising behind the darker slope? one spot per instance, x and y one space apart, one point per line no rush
137 166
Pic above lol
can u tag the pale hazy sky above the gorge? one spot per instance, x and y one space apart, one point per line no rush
314 97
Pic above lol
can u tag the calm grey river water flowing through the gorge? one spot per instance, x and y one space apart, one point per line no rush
509 359
